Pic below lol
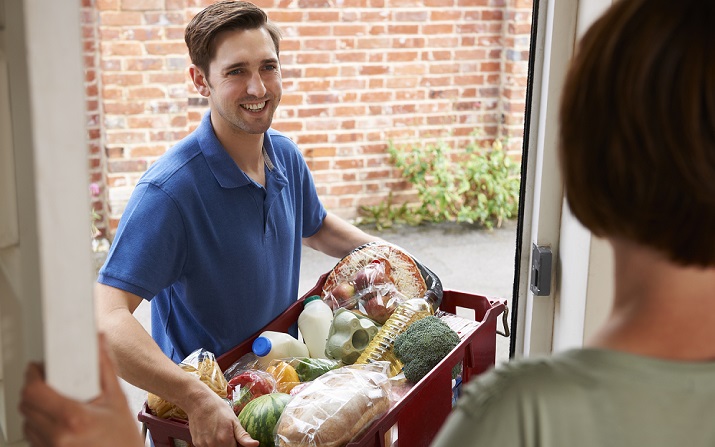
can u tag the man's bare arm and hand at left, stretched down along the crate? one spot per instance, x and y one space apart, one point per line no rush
141 362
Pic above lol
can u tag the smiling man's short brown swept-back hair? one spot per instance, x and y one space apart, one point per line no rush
222 16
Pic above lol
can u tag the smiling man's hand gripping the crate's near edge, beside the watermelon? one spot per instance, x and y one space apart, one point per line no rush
213 424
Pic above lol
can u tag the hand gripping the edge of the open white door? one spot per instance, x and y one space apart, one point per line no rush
52 419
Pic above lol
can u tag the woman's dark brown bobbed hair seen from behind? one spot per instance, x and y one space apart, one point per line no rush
637 135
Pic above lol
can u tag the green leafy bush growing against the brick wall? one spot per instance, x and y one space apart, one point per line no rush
480 186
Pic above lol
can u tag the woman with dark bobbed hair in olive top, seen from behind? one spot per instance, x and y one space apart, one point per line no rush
637 149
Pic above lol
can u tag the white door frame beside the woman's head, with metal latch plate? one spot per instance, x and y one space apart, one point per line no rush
581 274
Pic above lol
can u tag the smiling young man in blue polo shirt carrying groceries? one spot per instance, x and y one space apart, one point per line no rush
212 234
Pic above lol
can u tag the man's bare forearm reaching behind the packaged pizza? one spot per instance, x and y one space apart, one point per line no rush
337 237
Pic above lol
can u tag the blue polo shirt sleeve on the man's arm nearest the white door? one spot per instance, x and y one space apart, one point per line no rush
149 248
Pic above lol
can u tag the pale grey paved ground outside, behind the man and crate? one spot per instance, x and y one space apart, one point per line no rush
464 258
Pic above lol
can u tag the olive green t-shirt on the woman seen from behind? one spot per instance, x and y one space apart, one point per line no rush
584 398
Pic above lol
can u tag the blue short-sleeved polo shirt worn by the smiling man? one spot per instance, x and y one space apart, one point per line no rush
217 254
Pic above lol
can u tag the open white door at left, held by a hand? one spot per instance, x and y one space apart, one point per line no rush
46 278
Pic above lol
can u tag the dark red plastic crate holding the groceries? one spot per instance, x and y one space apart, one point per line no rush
421 411
